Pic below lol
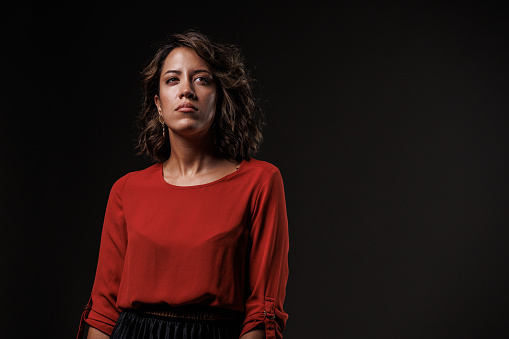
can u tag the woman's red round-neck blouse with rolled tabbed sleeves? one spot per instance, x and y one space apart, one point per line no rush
221 244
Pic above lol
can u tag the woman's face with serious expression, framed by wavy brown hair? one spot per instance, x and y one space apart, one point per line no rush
187 93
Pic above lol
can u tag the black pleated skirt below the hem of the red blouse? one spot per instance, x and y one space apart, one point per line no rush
139 325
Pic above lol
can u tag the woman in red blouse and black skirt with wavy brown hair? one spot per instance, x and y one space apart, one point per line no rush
195 246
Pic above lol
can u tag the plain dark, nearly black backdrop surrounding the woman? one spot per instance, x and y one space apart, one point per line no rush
388 122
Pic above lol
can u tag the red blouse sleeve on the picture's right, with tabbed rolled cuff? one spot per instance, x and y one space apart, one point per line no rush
268 259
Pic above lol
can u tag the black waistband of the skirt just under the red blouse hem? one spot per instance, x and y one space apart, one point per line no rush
195 312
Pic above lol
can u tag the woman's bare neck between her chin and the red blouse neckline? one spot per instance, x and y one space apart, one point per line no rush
190 156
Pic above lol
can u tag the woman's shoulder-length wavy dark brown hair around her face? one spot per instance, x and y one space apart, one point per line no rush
237 122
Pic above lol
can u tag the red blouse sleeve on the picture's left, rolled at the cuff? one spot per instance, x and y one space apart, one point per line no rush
104 311
